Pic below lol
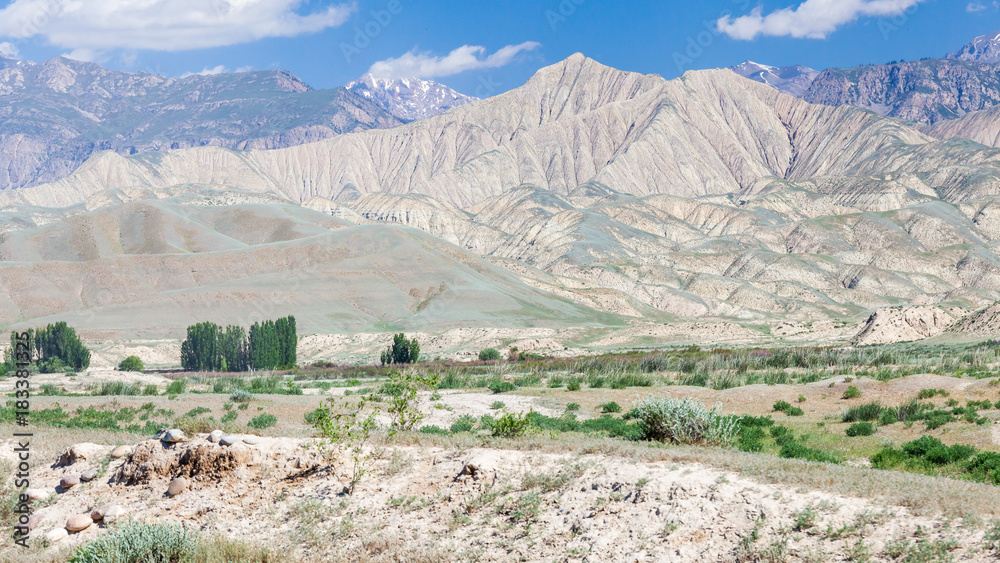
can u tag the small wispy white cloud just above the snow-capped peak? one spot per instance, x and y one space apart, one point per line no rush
466 57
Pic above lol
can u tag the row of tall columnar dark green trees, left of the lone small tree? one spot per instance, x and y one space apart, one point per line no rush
268 345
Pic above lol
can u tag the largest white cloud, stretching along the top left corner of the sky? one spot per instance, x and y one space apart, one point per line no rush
163 25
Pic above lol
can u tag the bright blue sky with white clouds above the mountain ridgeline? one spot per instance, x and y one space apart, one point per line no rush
484 48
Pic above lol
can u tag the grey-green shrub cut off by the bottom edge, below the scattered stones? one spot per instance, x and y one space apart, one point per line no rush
138 542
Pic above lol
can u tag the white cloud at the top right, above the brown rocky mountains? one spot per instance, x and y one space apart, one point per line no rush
813 19
